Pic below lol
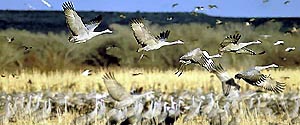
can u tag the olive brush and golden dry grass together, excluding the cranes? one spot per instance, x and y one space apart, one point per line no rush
55 65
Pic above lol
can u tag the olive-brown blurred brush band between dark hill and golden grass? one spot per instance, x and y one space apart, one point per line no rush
51 51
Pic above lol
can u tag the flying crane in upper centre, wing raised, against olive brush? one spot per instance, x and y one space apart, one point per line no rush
146 40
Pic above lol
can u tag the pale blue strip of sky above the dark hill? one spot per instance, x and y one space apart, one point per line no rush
226 8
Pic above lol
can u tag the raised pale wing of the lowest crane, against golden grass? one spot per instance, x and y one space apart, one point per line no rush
114 88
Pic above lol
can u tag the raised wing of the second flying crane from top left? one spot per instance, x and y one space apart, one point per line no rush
142 35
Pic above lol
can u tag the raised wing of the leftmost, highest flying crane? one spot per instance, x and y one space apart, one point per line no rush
74 22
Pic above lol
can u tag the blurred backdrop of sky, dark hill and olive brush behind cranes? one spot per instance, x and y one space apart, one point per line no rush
41 35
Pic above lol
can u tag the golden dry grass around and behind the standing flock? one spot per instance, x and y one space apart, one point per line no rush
167 81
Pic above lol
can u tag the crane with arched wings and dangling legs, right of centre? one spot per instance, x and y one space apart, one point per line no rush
194 57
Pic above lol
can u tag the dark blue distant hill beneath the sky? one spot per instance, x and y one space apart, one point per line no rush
54 21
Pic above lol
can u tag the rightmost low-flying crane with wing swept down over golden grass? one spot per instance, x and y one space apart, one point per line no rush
255 78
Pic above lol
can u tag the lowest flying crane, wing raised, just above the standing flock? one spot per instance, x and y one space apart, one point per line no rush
118 92
